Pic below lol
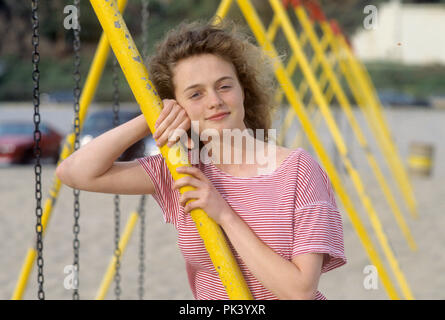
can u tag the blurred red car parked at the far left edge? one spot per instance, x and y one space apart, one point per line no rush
17 142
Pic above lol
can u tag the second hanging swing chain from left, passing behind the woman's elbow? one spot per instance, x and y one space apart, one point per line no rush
76 192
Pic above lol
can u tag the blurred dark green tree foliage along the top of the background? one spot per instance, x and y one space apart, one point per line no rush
164 14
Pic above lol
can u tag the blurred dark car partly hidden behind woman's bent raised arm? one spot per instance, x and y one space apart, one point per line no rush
100 121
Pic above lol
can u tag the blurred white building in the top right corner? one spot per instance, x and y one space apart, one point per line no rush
406 33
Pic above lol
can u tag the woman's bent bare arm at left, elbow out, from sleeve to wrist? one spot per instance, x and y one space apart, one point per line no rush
93 167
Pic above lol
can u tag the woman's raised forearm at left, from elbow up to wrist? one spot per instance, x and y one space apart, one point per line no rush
97 156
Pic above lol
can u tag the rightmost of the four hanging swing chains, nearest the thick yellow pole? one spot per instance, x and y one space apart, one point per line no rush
141 211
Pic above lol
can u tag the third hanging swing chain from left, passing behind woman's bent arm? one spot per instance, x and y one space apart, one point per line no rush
117 251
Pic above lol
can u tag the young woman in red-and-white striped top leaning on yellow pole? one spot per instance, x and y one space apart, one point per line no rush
282 224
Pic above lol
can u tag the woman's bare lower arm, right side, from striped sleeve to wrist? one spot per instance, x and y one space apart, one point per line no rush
288 280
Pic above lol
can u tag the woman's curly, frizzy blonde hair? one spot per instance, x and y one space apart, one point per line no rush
253 67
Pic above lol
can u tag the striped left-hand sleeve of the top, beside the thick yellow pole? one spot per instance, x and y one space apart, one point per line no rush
165 195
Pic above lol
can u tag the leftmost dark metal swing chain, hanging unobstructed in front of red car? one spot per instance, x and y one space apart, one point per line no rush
37 150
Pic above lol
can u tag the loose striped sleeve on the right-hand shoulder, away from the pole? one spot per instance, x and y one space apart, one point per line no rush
317 222
